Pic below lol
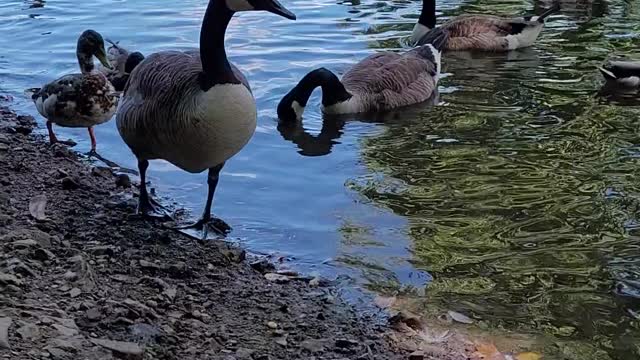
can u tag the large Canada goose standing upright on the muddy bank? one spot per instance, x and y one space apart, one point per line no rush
194 108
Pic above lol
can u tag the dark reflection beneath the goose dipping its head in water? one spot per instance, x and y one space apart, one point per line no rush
333 127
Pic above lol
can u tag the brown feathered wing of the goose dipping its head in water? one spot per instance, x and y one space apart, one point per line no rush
390 80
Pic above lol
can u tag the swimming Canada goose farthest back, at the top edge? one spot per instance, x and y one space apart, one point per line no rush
482 32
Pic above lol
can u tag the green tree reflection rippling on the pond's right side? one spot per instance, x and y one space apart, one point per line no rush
521 189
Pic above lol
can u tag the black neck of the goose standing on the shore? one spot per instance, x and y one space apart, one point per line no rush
215 65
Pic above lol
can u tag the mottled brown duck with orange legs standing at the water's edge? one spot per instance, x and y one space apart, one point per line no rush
84 99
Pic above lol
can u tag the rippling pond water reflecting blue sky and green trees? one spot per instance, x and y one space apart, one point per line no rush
514 200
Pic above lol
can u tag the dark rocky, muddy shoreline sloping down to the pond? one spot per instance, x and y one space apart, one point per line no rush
81 277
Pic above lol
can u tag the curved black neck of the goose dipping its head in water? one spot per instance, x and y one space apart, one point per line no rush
333 91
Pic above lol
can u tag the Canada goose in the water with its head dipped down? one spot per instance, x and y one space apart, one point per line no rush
382 81
